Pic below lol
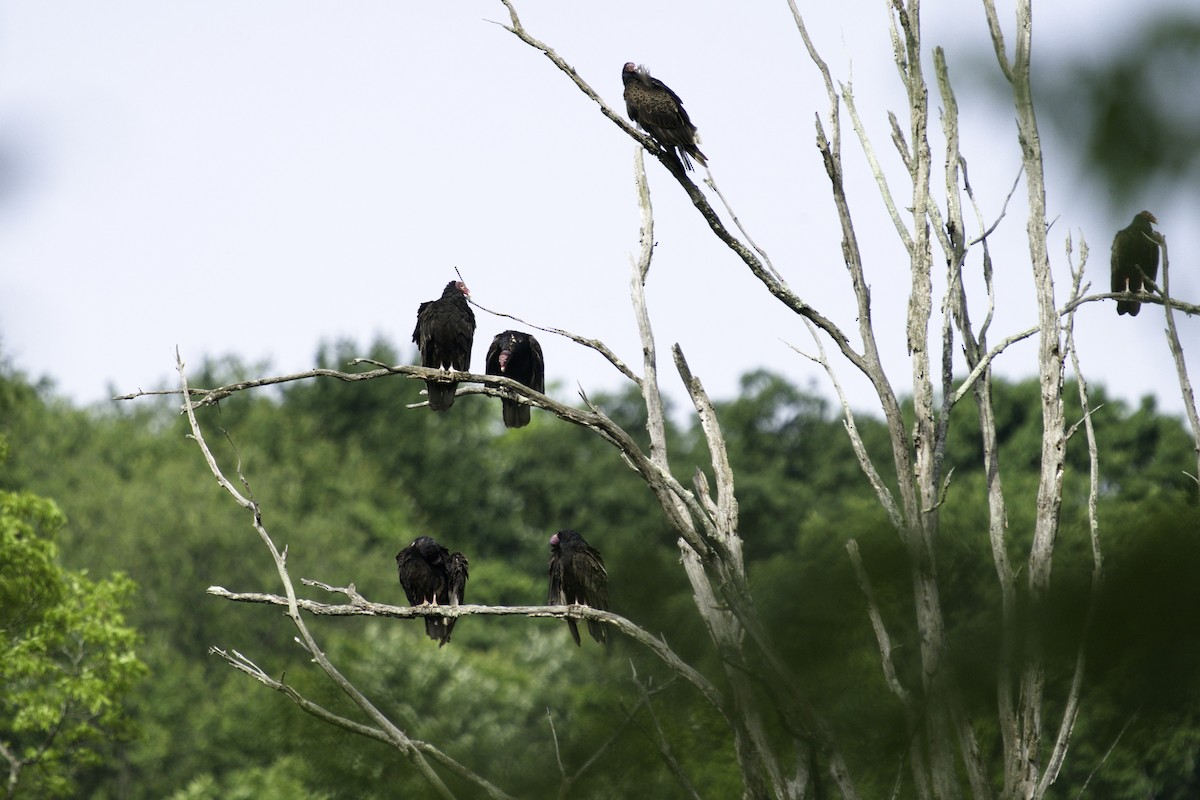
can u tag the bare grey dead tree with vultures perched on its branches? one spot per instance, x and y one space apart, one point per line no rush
945 760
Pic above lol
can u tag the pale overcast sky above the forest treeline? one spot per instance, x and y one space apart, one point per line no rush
256 178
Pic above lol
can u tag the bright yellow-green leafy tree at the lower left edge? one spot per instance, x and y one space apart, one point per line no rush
68 659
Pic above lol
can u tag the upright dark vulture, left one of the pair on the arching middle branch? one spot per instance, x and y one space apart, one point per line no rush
445 333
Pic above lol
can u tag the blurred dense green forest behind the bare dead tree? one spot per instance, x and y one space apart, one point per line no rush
347 476
